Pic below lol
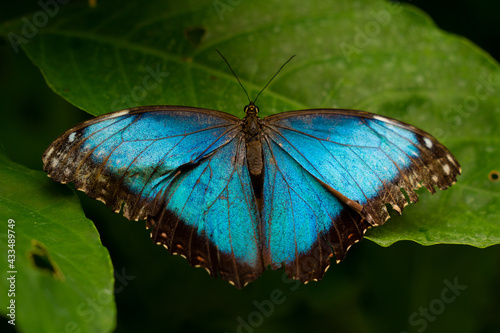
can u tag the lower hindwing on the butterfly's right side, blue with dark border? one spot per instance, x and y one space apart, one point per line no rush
303 223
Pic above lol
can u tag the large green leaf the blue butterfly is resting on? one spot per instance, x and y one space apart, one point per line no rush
384 58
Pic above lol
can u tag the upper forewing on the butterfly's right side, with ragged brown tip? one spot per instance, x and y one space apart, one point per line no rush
365 157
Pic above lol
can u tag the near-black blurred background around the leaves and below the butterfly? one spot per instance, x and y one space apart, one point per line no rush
375 289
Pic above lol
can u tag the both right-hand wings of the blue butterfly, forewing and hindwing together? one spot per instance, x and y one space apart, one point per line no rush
328 176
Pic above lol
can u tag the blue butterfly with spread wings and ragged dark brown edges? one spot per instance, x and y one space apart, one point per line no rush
238 195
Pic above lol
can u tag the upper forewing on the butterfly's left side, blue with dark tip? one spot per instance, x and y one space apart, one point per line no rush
128 157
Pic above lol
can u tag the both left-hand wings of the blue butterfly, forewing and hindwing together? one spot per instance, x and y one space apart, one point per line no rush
183 169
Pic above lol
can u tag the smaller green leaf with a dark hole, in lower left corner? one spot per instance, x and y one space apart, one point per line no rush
62 275
